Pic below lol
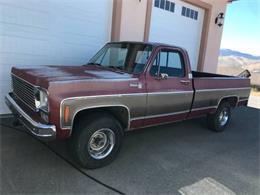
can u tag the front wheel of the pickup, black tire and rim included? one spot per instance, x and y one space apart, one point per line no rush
96 140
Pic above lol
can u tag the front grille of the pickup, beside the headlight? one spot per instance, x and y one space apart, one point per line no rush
24 91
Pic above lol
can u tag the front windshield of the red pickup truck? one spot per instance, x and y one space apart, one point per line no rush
128 57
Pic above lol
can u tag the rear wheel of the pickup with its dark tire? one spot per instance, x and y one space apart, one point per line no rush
220 119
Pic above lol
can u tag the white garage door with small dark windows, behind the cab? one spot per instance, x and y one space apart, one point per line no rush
178 23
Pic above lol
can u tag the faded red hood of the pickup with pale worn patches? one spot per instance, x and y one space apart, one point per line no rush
44 75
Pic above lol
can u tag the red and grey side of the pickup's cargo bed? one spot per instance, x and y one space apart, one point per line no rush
210 89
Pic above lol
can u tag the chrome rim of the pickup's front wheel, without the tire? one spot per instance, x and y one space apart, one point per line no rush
101 143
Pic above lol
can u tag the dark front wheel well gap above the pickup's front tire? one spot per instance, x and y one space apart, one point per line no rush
120 113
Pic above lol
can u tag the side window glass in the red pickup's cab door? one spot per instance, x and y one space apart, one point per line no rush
169 62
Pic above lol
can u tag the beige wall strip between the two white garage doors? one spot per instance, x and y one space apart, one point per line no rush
133 20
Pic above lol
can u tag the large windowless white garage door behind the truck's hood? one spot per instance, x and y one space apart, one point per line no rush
41 32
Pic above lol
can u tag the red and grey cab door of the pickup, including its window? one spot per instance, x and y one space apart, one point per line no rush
169 88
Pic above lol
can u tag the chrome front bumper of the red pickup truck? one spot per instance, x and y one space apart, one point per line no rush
42 131
